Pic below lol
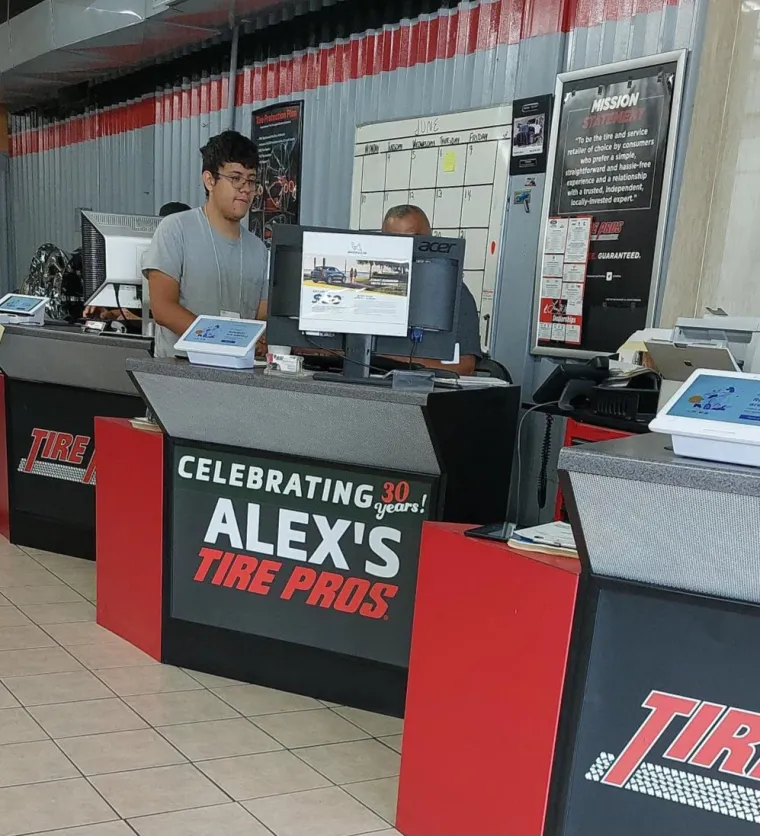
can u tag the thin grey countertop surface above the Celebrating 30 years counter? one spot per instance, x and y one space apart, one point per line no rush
257 378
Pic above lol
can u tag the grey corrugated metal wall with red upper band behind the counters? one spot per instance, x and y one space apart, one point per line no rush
136 157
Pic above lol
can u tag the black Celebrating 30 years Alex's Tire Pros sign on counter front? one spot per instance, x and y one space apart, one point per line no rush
309 554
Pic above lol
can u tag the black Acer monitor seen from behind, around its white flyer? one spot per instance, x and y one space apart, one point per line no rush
434 297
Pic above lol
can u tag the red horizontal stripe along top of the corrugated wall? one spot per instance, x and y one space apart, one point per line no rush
444 35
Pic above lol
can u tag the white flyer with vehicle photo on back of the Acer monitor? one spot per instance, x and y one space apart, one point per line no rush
356 284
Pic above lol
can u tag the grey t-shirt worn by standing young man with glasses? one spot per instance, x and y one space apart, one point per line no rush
208 268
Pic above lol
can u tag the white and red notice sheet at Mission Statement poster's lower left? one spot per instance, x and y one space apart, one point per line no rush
563 280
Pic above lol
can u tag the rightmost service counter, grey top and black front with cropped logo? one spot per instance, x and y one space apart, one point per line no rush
662 720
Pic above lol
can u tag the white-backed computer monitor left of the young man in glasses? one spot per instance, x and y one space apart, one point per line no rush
113 246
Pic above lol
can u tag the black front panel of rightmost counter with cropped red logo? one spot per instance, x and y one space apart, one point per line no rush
668 738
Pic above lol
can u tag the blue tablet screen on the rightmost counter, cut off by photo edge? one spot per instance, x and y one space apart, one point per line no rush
732 400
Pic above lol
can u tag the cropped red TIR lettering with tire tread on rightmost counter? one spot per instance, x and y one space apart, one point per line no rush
712 735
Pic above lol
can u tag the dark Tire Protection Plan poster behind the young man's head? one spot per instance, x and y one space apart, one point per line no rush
277 131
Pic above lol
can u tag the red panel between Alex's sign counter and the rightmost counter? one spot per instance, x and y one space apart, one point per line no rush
490 644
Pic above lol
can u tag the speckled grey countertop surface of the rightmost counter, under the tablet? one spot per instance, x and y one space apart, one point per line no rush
650 458
